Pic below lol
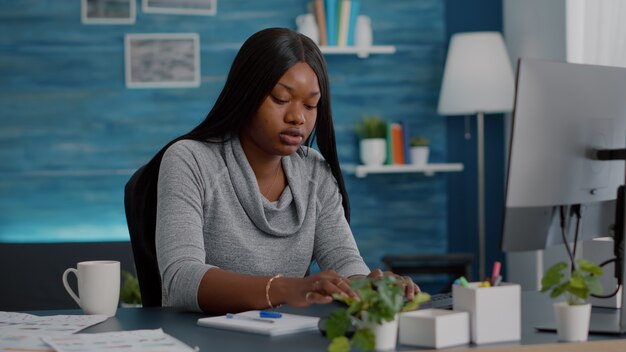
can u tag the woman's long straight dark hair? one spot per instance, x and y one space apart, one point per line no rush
259 64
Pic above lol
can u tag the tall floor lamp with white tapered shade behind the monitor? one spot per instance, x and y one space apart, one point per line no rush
477 79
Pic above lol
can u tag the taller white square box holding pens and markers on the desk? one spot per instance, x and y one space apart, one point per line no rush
495 312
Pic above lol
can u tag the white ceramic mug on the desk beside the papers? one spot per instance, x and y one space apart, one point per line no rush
98 286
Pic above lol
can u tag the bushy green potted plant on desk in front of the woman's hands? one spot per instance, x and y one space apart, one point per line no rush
374 315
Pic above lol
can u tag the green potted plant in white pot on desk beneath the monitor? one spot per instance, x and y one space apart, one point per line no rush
572 315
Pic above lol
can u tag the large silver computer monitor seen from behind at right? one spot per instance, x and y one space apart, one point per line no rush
563 115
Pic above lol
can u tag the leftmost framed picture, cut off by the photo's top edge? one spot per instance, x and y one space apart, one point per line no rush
108 11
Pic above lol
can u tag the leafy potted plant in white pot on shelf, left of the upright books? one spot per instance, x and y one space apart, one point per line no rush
372 132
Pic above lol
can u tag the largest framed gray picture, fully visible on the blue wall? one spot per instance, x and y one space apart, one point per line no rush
162 60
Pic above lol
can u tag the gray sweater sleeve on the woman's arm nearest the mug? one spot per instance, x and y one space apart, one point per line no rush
179 235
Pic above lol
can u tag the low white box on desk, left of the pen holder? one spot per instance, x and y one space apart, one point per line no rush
434 328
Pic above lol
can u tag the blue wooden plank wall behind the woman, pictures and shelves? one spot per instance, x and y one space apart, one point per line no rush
71 133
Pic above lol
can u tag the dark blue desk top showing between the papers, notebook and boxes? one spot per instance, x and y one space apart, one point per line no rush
536 309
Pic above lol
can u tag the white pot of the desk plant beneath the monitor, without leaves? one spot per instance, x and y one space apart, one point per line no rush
572 322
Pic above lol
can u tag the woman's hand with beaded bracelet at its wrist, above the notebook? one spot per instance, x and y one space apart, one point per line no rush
314 289
